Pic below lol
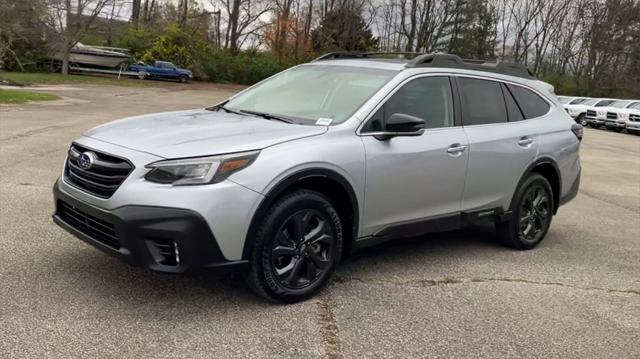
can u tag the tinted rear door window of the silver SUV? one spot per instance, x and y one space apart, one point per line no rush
482 102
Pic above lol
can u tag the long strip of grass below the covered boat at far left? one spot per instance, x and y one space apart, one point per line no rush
42 78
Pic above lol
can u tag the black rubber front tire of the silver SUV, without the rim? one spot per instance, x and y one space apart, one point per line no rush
280 212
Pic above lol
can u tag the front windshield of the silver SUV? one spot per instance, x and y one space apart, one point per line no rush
310 93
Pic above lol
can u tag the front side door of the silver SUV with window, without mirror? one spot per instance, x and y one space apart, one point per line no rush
411 180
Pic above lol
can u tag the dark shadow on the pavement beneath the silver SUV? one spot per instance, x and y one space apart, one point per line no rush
100 276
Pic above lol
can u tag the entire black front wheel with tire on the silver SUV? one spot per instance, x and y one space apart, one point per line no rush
296 249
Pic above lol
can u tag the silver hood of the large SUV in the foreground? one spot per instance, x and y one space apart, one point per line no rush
199 133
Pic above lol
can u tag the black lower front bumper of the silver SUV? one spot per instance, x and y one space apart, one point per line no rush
165 239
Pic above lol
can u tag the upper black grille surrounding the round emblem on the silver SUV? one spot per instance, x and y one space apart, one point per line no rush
101 179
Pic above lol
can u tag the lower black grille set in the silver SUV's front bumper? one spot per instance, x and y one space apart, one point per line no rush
99 230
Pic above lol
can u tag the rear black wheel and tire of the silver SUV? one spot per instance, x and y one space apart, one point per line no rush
517 232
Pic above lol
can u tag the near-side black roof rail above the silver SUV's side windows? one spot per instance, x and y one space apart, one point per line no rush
453 61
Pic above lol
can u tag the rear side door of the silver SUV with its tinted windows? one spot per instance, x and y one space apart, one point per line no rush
502 143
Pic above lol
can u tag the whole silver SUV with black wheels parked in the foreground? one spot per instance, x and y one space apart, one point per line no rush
288 176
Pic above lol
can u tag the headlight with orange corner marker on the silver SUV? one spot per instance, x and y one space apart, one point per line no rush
200 170
